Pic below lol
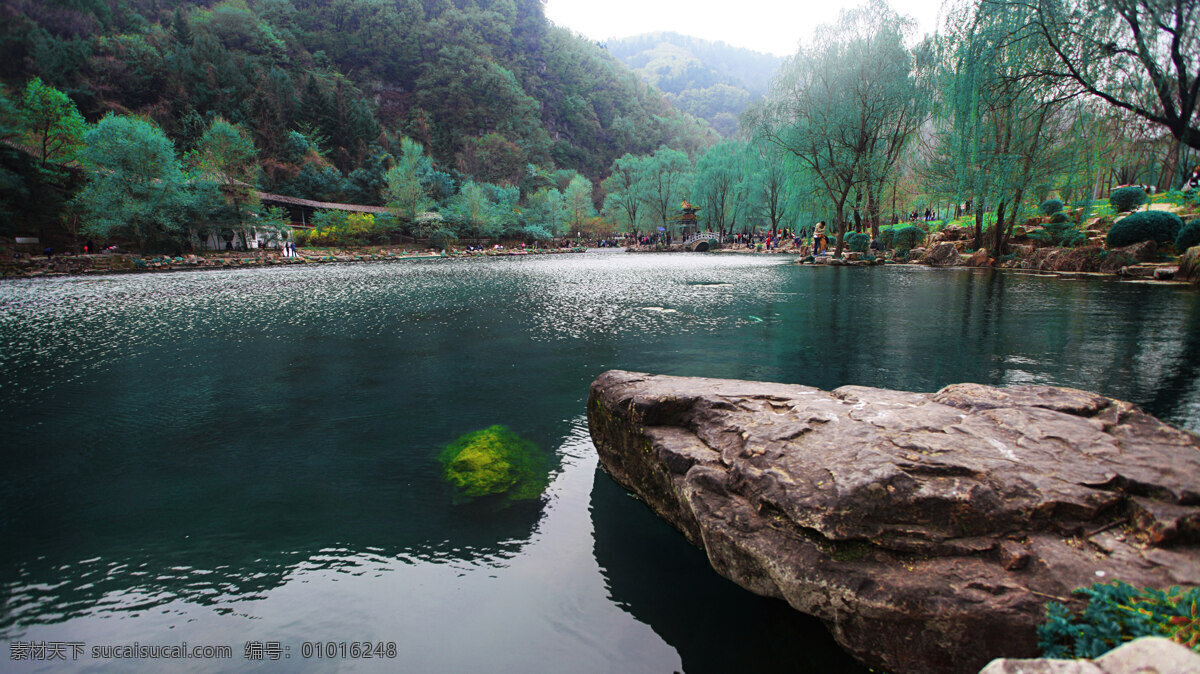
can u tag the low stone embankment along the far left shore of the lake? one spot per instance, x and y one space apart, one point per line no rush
121 263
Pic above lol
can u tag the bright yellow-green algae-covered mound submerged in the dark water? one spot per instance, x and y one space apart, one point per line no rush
495 462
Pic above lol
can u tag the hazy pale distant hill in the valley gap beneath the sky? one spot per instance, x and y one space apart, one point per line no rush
711 81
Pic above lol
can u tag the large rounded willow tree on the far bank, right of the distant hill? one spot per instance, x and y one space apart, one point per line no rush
839 106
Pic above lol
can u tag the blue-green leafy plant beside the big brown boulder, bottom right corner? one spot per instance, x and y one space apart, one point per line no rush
1118 613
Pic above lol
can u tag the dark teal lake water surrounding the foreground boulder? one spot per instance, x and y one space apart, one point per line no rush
221 459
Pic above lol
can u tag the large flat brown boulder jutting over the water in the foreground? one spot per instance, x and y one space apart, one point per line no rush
927 531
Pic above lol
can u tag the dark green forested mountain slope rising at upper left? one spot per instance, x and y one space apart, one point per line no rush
327 88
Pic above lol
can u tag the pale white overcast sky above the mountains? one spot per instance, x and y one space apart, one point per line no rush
776 27
